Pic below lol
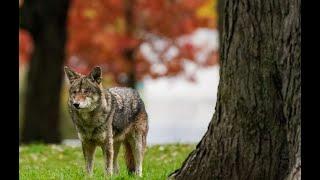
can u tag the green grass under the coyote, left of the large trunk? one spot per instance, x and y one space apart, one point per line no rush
40 161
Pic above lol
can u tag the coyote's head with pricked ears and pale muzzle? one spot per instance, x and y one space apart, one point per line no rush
85 91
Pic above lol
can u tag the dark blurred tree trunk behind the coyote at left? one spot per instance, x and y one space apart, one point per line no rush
46 21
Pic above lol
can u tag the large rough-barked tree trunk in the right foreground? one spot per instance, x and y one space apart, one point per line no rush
255 130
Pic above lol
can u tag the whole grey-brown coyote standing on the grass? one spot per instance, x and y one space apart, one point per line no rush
107 118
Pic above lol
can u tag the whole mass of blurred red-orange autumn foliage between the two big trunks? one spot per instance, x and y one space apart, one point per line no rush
109 33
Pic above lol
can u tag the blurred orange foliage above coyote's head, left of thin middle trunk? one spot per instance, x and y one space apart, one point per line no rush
97 35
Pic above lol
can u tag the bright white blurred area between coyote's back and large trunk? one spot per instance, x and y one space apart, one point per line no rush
180 111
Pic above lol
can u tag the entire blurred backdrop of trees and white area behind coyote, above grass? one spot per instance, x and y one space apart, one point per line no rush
166 49
